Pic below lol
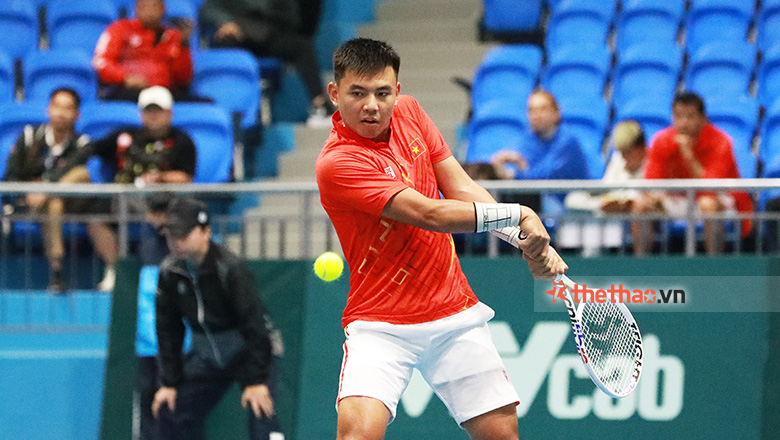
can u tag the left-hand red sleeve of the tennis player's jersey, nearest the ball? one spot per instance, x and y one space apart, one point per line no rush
349 180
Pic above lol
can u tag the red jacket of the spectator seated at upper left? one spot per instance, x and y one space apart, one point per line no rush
126 47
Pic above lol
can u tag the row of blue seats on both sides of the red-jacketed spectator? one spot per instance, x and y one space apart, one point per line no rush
229 76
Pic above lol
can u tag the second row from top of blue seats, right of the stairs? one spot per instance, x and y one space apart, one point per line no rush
655 69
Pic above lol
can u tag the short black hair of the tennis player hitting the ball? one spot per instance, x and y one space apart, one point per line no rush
364 56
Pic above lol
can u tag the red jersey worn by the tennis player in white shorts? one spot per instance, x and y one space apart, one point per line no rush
399 273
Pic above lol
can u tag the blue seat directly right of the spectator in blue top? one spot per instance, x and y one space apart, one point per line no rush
587 119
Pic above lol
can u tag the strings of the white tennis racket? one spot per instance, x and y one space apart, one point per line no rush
609 342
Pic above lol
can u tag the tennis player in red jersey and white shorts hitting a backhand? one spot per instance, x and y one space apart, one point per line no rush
380 173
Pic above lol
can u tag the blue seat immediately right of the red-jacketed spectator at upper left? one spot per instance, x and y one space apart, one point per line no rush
232 78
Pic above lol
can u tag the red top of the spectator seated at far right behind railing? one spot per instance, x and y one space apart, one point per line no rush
713 149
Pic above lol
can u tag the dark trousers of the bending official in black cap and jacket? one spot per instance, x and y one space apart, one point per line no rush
200 393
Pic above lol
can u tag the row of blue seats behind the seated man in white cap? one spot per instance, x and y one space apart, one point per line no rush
208 125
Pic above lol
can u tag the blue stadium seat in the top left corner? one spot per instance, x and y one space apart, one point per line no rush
19 22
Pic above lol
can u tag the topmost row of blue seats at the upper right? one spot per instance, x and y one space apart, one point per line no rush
591 20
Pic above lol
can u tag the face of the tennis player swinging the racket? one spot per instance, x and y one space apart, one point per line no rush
366 102
